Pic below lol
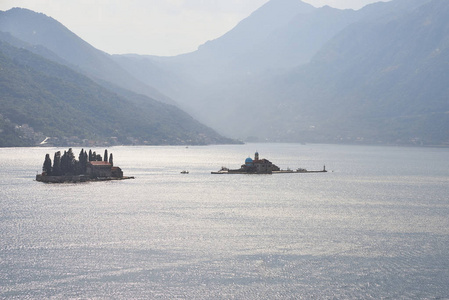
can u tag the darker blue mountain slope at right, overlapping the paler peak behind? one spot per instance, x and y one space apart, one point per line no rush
388 82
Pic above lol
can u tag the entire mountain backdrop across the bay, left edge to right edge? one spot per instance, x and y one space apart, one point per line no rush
289 72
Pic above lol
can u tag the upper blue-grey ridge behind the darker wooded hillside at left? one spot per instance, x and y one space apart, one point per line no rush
38 29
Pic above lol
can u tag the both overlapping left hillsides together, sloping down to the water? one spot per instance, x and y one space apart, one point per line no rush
53 84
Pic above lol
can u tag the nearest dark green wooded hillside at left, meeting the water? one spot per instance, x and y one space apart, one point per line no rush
58 102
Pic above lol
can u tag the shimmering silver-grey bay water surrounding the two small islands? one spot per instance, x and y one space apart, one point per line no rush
375 226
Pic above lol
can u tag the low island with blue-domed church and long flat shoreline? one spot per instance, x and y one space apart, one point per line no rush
262 166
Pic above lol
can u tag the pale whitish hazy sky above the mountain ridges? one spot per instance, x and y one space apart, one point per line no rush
157 27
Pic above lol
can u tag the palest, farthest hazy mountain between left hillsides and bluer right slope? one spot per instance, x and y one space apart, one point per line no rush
287 34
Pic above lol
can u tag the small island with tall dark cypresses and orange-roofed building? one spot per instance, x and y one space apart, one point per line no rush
89 166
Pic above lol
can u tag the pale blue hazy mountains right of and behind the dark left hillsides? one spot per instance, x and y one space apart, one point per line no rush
294 73
